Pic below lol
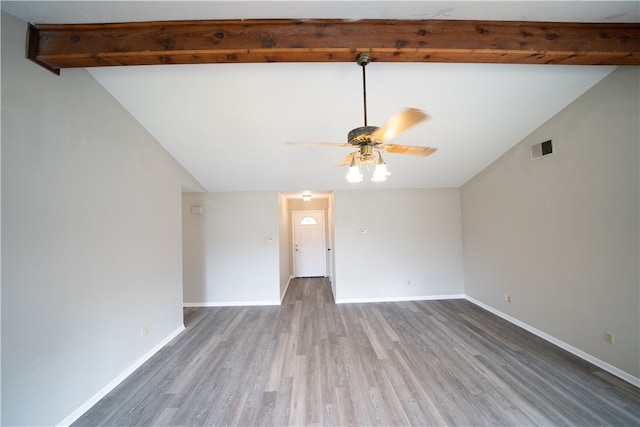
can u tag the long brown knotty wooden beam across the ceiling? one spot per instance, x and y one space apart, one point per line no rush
240 41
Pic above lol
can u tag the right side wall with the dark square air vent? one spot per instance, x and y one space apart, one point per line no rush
560 234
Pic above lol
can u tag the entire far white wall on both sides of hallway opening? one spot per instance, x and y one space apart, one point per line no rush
412 235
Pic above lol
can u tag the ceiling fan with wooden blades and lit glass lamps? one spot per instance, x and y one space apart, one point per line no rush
372 140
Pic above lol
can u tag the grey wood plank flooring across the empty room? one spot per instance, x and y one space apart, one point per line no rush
312 362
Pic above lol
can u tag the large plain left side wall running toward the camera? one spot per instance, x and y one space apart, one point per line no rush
91 239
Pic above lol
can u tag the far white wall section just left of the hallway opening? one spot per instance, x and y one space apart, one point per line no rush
227 259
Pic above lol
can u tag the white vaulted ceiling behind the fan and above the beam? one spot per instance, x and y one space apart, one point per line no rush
227 123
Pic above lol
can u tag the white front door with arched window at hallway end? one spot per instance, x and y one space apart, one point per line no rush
309 253
